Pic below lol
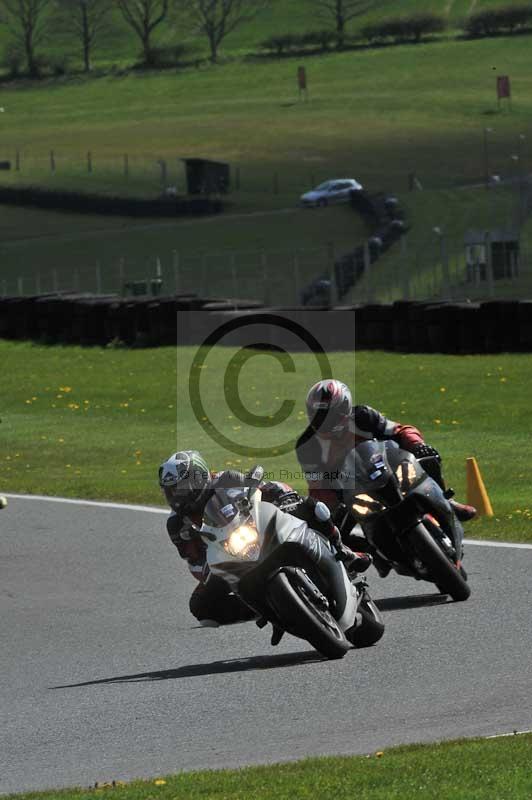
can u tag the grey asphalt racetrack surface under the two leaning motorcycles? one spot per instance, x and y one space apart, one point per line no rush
105 675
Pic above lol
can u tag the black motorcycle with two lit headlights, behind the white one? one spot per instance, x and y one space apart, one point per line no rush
404 515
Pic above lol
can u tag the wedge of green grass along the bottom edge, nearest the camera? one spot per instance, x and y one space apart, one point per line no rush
475 769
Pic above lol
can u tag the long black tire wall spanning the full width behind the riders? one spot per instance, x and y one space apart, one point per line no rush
408 327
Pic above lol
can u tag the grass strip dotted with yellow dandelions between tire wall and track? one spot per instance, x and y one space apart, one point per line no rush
96 423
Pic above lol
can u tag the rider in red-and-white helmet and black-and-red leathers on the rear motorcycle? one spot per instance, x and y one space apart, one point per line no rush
335 427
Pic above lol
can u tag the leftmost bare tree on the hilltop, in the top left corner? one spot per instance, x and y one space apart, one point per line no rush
27 22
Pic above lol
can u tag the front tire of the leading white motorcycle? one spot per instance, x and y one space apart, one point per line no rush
303 618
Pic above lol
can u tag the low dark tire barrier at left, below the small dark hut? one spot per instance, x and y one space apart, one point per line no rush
166 206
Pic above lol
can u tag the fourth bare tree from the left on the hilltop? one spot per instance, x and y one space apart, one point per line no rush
218 18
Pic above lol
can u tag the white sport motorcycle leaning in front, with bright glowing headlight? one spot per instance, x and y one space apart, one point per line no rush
287 572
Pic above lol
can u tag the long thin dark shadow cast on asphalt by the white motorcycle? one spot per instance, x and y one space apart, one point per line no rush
213 668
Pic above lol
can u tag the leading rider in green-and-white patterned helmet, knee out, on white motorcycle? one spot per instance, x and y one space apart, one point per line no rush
187 484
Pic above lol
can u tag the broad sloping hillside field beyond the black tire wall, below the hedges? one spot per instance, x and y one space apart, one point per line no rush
375 114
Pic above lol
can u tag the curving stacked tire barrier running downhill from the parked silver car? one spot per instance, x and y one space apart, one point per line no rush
383 214
